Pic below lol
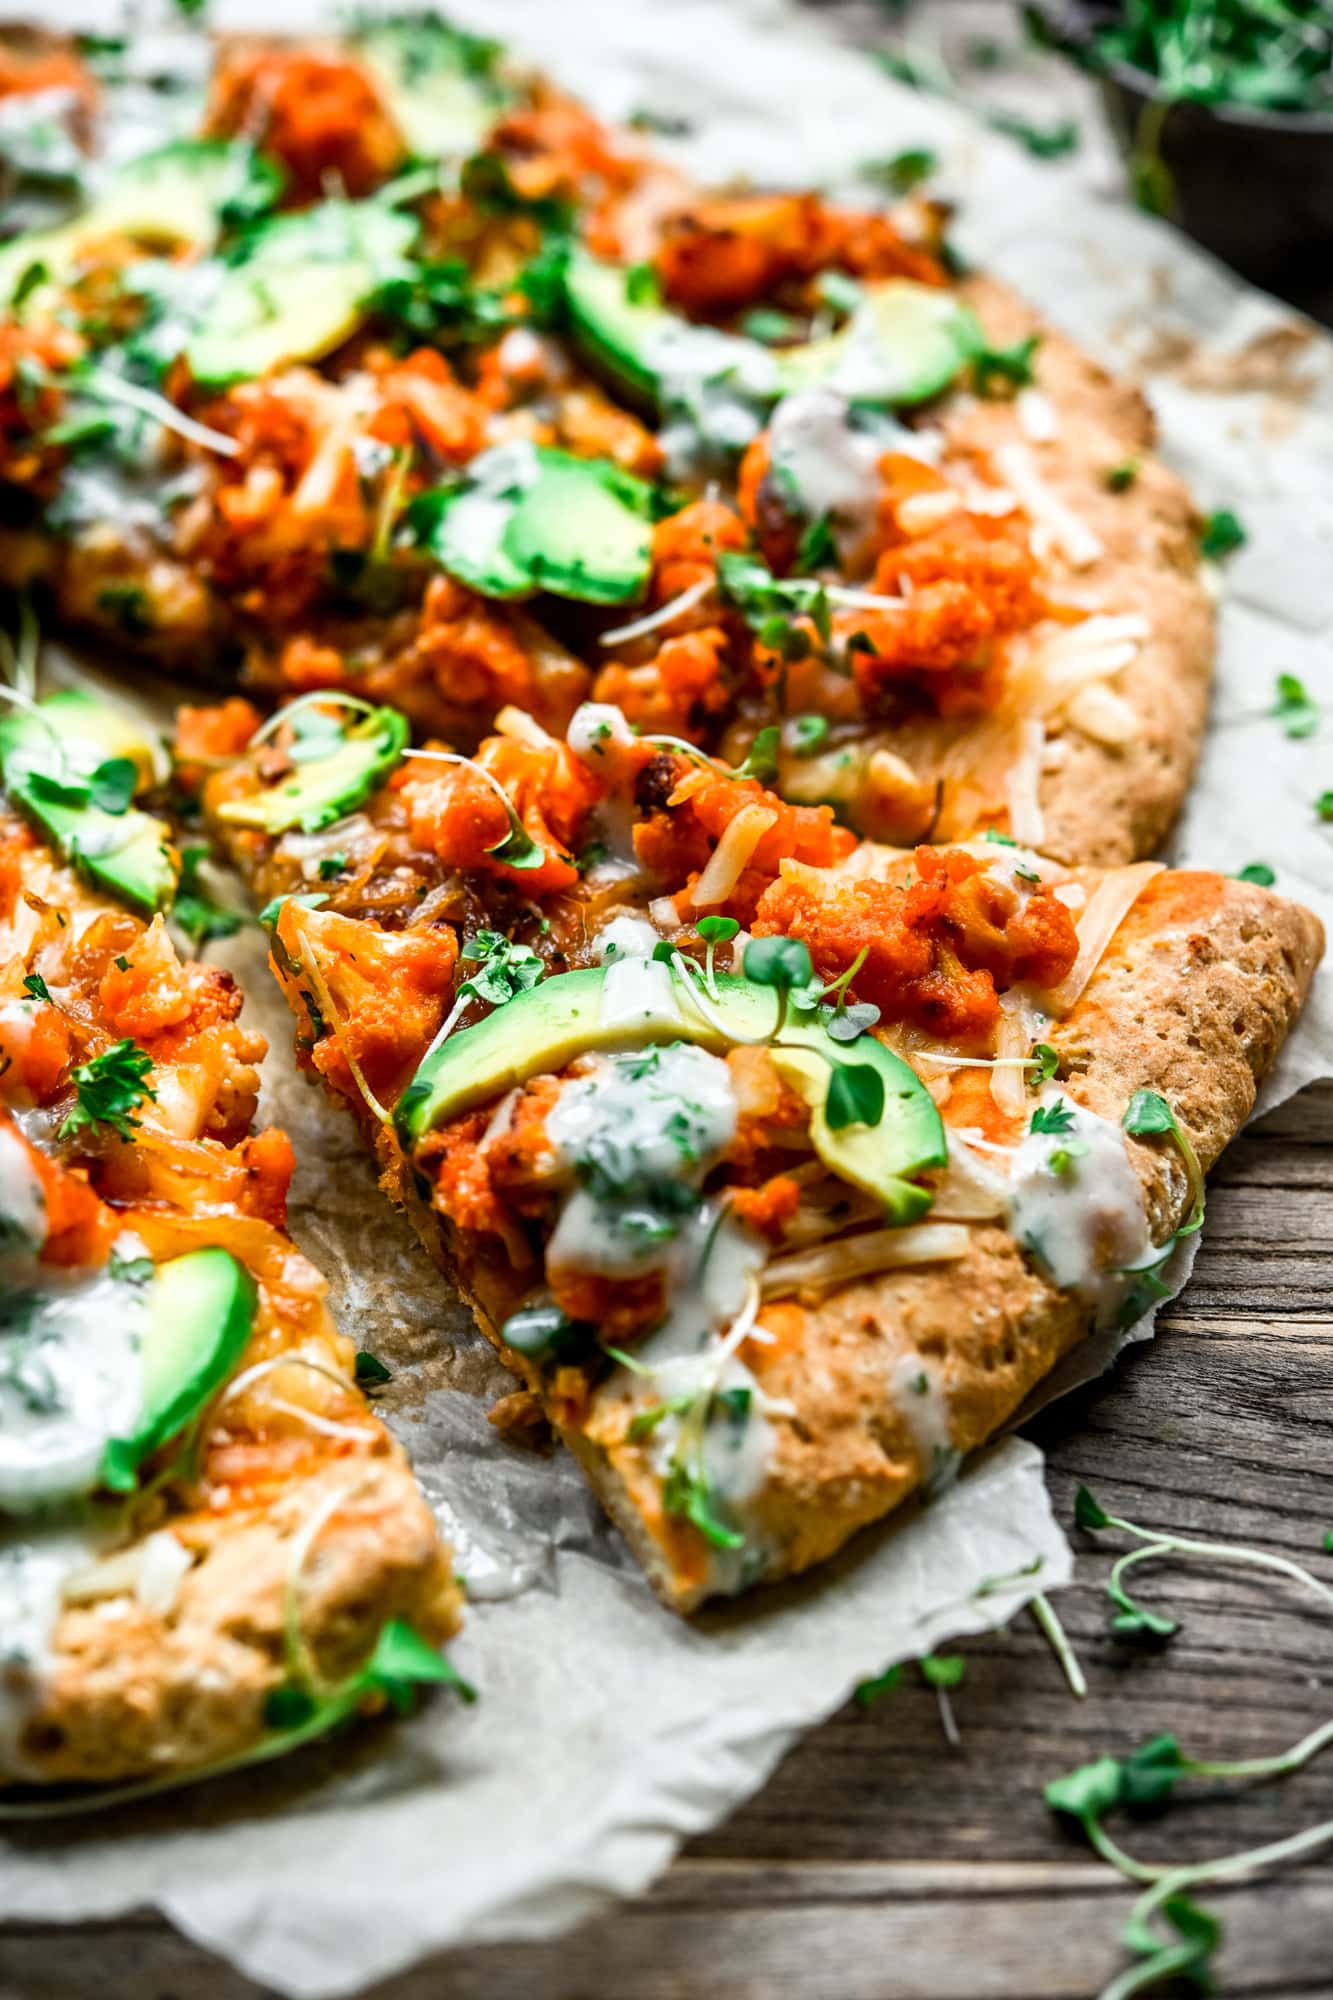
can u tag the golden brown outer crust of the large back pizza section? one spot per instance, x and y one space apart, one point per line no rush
1102 805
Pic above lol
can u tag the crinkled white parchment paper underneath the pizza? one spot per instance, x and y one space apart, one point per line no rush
607 1729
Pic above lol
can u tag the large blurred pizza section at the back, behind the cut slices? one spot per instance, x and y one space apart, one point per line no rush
393 371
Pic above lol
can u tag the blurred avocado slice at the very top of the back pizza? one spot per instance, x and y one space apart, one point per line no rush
437 81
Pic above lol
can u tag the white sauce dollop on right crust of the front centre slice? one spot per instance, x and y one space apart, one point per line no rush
1086 1223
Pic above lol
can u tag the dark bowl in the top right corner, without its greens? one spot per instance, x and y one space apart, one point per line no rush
1252 187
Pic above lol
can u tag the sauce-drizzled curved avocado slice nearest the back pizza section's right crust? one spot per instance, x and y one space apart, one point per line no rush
904 345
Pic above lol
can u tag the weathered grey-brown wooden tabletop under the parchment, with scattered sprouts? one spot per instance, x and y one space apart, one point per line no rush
882 1865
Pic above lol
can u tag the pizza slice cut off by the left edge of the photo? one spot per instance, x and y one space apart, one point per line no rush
211 1549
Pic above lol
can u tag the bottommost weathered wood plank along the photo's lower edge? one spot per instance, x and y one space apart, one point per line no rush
872 1933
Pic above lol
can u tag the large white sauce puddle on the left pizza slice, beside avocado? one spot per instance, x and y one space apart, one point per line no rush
71 1375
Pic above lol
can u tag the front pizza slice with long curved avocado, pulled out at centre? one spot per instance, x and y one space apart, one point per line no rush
780 1165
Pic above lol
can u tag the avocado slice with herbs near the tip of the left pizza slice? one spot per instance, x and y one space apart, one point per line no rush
51 771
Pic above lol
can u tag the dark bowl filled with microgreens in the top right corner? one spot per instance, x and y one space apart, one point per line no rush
1224 111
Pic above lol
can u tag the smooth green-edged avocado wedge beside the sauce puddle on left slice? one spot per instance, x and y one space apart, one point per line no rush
201 1313
